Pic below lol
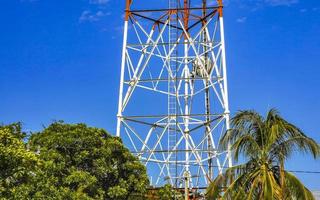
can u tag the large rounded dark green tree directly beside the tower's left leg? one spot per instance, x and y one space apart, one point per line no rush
81 162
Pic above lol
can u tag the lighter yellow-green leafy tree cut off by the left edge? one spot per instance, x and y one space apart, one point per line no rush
17 164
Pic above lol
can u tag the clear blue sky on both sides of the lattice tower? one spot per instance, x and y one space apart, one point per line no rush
60 60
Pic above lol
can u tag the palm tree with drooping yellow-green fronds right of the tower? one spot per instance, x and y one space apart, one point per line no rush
265 143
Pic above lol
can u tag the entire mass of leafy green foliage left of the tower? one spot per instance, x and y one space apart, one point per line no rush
68 162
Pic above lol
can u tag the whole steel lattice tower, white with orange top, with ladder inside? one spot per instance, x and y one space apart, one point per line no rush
173 99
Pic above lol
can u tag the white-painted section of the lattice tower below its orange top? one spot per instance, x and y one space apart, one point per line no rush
138 66
